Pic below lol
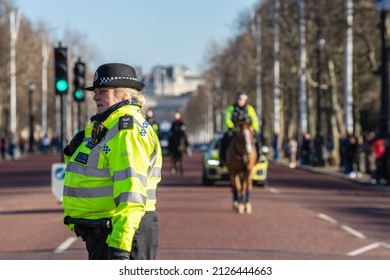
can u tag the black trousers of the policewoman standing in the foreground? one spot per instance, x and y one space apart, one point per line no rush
145 242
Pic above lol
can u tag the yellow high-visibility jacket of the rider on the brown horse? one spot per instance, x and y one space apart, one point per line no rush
230 115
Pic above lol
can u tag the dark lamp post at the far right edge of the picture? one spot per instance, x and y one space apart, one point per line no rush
383 7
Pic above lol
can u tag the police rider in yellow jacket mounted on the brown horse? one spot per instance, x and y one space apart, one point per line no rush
240 110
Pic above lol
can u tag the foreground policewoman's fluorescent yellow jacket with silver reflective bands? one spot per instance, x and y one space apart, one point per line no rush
117 177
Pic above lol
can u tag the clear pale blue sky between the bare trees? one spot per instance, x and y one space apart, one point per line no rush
142 33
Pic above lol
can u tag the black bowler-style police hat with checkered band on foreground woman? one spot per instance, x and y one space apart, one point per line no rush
115 75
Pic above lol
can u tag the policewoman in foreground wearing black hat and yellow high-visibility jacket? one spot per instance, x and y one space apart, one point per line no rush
113 168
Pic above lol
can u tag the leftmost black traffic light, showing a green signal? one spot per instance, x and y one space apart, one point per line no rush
61 70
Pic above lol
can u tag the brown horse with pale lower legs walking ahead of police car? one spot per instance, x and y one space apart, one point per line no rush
241 157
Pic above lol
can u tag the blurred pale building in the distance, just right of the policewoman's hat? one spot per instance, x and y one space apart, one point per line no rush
171 81
